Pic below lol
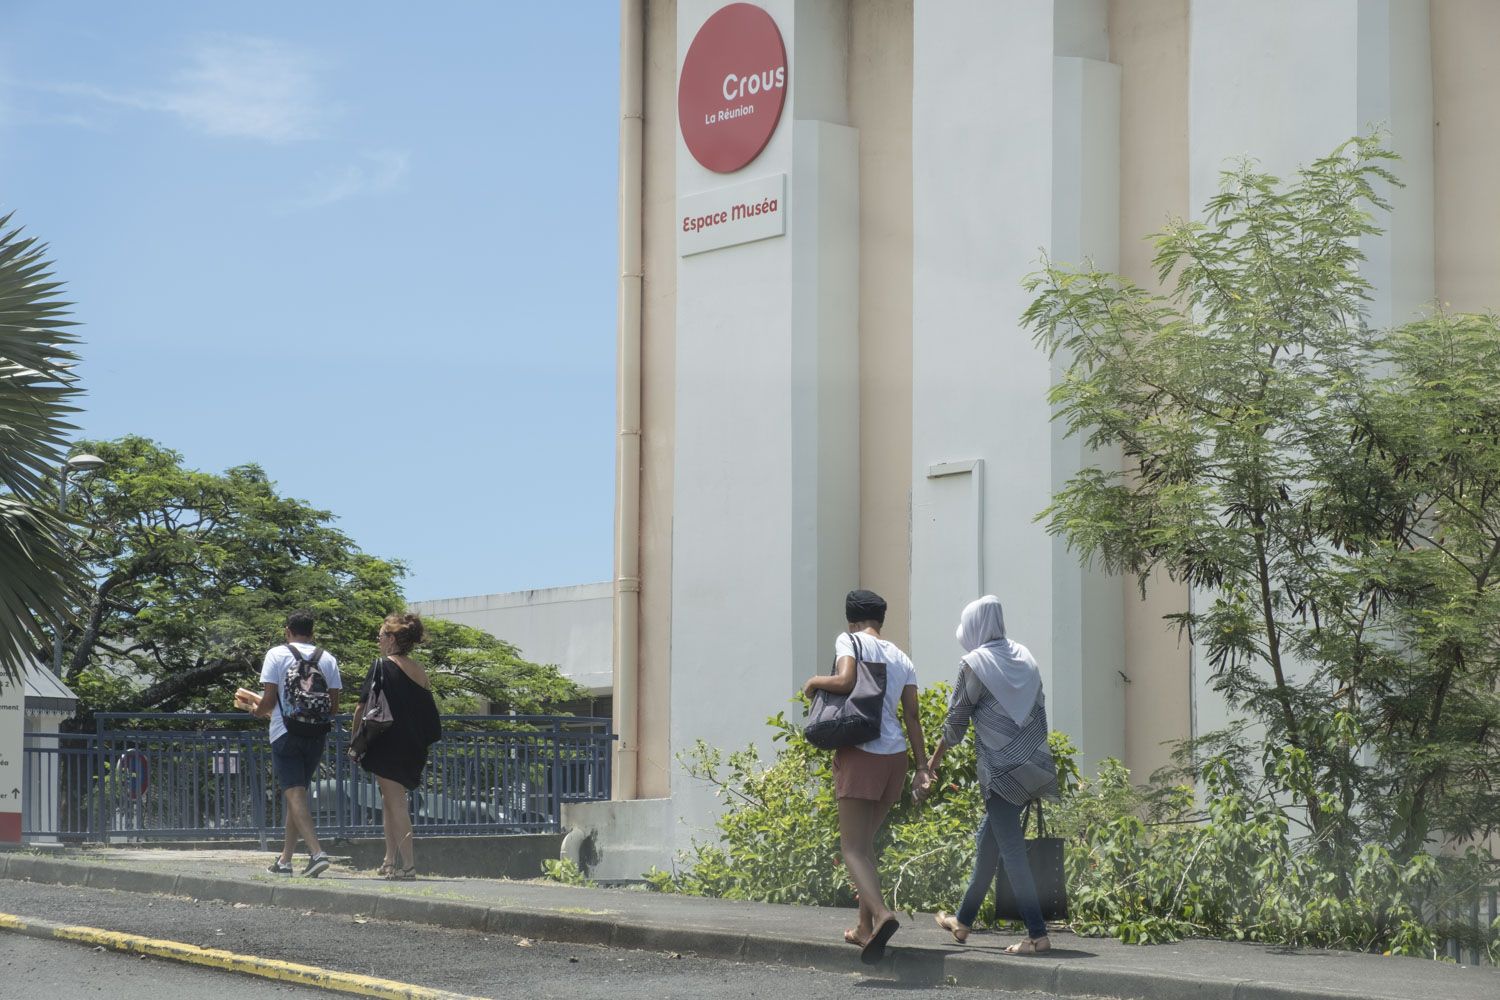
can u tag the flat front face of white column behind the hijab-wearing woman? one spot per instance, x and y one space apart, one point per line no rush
982 206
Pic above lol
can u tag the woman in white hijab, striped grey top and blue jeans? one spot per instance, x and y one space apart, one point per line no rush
1000 692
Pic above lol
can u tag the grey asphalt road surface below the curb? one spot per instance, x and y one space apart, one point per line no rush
461 962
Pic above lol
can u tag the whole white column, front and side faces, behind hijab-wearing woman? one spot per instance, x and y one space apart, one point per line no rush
1015 154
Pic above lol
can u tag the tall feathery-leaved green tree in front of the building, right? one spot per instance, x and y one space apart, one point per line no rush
1321 485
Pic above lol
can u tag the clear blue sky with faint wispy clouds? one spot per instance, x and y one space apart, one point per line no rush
401 212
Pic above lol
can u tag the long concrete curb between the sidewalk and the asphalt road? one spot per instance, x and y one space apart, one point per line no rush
916 965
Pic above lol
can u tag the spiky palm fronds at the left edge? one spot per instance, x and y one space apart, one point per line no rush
37 388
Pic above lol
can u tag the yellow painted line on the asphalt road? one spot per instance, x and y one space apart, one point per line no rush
229 962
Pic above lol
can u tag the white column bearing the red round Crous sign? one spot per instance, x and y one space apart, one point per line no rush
766 493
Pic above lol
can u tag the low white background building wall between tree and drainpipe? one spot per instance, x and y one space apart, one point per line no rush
566 626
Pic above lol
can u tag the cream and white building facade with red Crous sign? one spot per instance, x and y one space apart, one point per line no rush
844 395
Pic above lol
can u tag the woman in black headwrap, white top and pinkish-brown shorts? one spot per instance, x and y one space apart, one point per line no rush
869 779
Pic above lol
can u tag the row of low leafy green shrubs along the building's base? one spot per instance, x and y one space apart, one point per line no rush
1145 866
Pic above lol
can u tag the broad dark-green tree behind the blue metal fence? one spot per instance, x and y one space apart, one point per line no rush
191 576
